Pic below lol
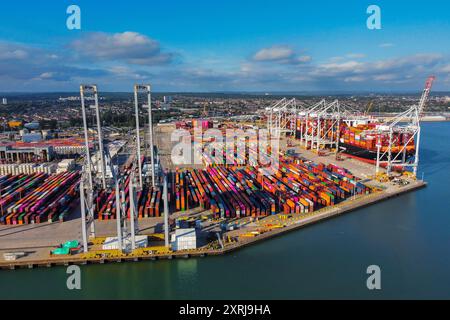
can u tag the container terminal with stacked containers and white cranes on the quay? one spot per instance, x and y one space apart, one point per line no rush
89 199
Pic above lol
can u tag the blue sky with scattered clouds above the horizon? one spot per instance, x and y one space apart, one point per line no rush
224 45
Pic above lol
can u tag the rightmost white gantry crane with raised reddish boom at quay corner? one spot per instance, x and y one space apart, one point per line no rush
407 126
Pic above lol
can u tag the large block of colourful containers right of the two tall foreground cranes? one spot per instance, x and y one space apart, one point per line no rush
297 187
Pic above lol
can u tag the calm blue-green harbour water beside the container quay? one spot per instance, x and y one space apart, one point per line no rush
407 237
